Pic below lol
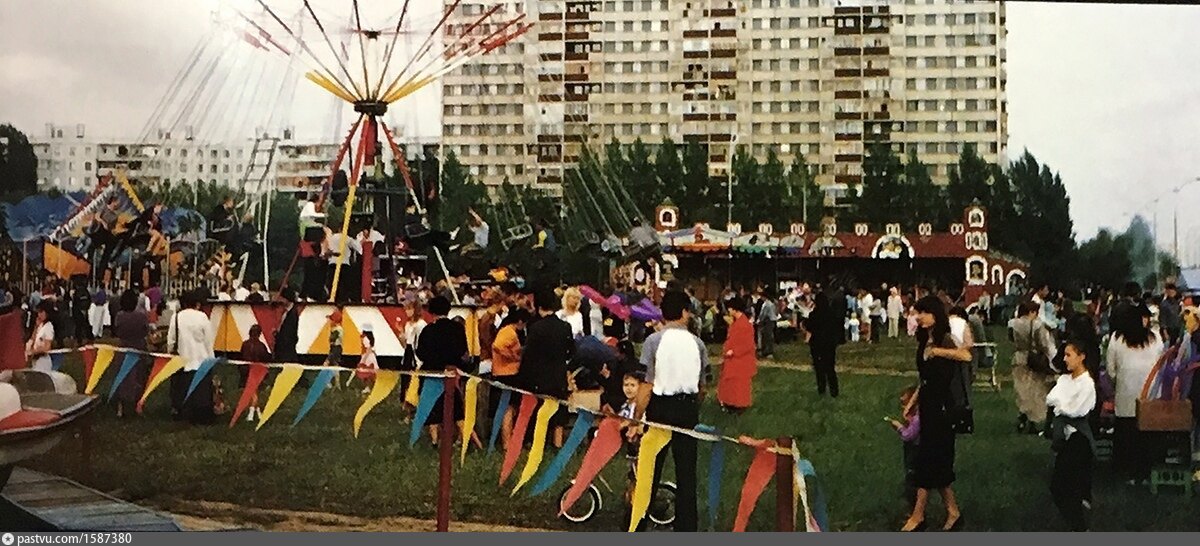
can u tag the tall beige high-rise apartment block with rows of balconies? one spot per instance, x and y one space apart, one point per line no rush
824 79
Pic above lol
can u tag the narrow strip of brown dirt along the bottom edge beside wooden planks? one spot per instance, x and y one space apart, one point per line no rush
201 515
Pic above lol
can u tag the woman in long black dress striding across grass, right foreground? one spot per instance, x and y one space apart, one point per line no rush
939 359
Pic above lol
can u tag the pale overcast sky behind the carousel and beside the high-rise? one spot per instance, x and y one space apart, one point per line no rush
1109 97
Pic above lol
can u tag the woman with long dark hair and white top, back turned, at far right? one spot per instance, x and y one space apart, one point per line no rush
1133 352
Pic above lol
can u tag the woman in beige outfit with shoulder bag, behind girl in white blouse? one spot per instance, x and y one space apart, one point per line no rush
1034 350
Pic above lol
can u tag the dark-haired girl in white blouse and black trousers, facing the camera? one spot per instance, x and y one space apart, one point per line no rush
1073 399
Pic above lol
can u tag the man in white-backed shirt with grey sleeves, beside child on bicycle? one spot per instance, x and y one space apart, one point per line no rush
676 365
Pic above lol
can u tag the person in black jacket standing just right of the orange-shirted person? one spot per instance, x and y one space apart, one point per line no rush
549 349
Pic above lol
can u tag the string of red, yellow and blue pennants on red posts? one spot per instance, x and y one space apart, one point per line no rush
797 490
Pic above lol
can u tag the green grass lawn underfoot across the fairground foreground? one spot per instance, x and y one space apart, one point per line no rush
319 466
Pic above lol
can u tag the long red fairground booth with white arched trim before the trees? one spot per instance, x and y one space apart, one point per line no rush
959 260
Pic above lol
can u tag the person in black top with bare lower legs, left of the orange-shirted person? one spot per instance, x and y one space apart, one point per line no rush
443 345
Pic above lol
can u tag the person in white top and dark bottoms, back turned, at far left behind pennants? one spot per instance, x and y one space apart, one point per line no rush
190 337
